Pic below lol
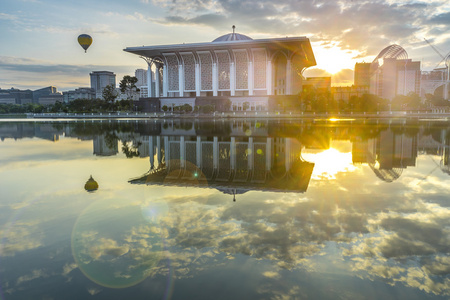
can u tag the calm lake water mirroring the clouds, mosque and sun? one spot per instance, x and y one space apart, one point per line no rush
260 209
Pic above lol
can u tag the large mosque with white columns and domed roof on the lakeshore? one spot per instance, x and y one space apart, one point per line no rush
233 70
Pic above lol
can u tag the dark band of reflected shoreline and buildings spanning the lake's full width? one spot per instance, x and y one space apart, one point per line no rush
255 152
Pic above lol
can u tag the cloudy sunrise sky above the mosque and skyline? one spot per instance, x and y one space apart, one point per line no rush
39 37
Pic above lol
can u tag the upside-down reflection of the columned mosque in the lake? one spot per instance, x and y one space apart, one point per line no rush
230 164
